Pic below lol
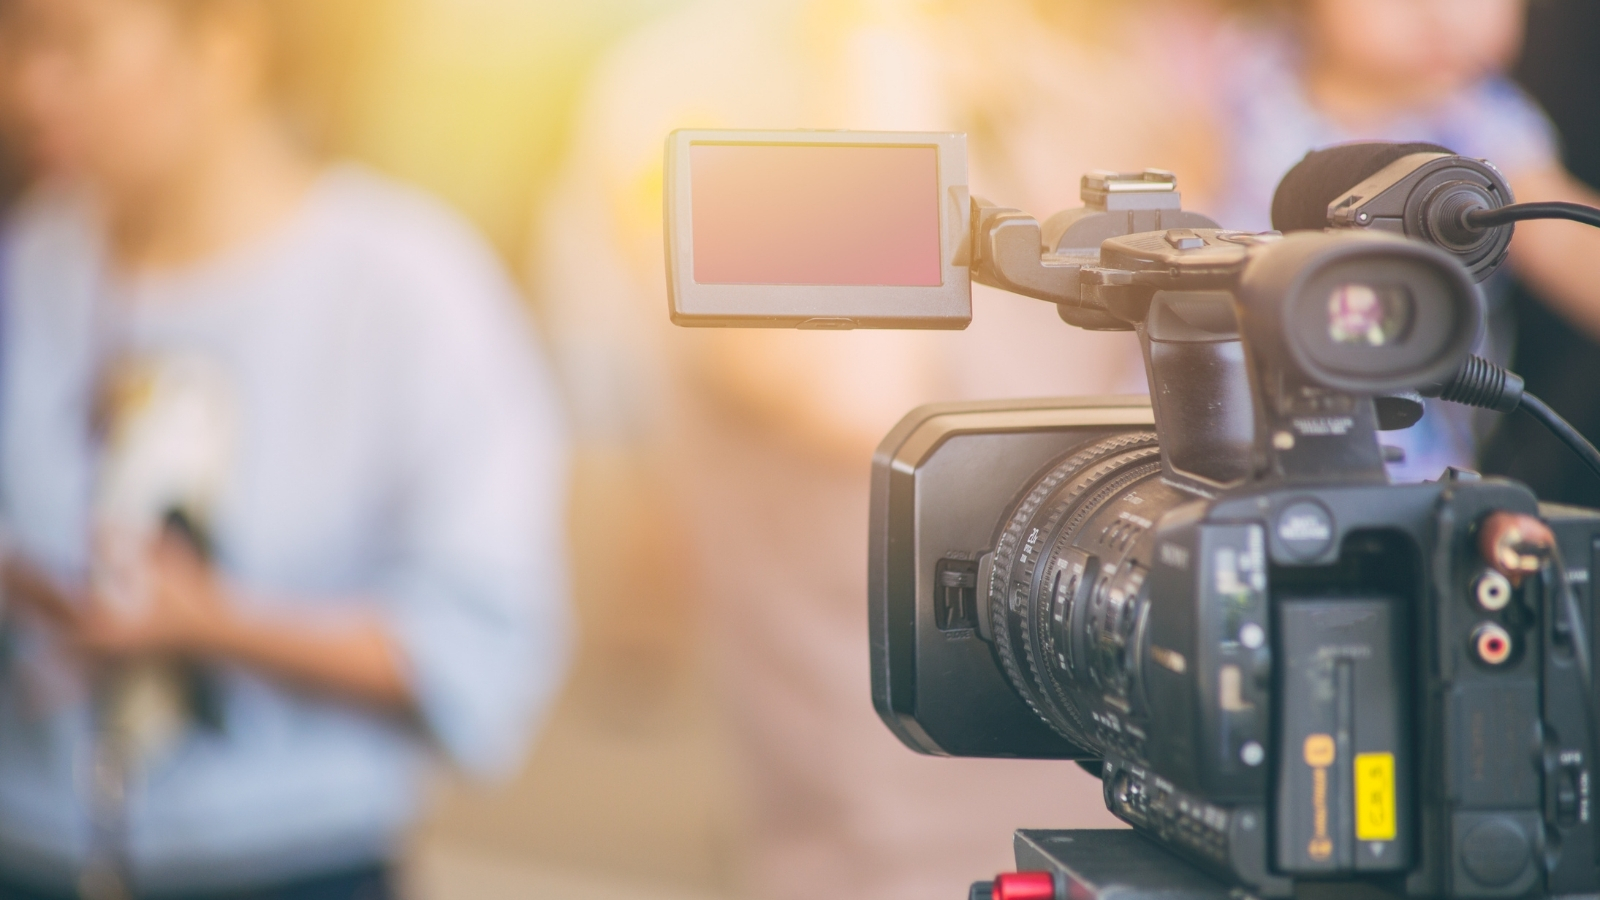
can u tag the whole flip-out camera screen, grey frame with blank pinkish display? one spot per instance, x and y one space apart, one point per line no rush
818 230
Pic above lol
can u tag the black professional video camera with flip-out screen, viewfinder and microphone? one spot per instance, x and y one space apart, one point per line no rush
1286 669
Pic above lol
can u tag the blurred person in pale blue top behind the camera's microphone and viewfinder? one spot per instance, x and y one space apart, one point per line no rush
1292 76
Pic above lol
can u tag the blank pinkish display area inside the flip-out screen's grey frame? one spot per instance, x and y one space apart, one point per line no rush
815 215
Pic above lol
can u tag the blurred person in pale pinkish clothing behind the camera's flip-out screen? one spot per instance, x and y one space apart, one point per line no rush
764 440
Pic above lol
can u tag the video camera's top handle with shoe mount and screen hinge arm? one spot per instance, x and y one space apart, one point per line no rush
1201 385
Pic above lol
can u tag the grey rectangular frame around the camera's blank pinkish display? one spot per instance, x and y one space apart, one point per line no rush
822 307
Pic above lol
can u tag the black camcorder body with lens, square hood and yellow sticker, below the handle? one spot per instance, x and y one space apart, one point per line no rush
1282 681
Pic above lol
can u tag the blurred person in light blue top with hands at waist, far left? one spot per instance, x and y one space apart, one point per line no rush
281 472
